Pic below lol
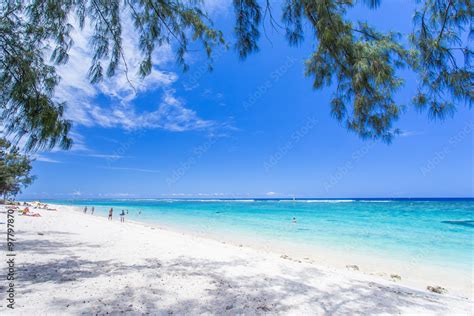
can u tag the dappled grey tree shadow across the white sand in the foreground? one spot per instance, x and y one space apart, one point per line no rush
223 294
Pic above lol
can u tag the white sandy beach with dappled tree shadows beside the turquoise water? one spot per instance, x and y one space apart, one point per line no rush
71 263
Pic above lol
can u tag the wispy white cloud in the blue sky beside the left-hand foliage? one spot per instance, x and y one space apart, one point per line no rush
117 96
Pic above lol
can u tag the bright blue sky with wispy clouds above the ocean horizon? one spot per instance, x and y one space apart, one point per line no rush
253 128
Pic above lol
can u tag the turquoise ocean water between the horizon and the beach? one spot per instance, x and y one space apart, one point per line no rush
437 232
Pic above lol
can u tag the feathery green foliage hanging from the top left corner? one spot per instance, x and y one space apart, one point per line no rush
28 29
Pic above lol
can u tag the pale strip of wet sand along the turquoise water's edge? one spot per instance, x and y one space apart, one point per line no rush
416 275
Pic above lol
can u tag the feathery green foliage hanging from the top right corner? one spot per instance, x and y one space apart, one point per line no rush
364 62
